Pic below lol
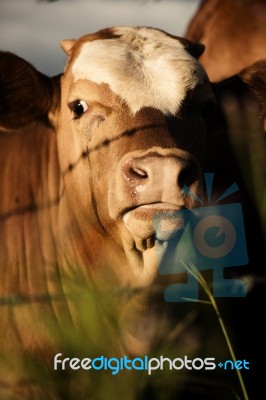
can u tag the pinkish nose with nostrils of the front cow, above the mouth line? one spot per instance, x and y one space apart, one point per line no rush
154 177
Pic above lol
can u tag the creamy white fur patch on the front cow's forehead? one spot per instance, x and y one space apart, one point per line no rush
145 67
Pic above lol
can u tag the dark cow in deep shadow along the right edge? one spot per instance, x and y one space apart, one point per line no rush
237 151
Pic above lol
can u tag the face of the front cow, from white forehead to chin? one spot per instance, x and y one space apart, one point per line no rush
131 134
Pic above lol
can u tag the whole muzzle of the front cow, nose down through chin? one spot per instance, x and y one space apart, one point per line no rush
150 183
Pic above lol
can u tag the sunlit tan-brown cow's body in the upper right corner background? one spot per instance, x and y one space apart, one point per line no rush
233 32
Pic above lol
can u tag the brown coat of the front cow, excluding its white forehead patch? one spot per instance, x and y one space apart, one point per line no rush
62 233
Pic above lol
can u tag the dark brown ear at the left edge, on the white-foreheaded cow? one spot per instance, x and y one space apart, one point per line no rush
27 95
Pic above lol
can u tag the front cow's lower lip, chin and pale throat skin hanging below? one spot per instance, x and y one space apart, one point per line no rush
151 228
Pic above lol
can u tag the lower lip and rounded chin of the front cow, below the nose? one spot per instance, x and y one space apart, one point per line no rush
150 223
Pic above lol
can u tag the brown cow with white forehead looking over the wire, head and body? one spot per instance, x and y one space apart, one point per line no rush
88 158
